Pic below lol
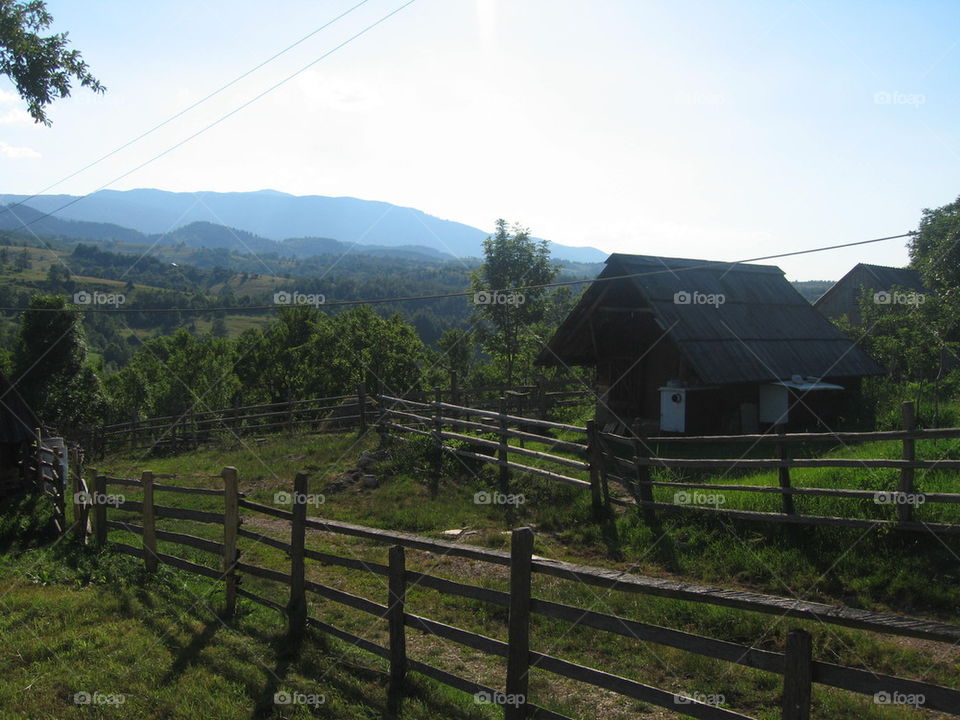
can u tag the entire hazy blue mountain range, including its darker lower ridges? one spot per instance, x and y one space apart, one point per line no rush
256 222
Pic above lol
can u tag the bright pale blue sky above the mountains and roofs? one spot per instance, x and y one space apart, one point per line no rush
714 130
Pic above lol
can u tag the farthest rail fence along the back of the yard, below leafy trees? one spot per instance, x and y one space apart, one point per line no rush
329 414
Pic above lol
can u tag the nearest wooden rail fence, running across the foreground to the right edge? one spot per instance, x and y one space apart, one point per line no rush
796 666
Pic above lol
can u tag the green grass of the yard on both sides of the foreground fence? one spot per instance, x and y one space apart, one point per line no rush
171 651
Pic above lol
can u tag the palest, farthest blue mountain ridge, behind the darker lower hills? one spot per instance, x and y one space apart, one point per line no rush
276 216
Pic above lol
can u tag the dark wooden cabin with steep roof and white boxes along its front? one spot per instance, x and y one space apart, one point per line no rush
699 347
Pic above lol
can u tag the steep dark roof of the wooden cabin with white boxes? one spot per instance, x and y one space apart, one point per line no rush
763 331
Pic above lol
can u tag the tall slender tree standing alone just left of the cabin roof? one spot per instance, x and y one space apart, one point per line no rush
511 260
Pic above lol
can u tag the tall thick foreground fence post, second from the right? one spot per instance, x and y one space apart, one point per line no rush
518 654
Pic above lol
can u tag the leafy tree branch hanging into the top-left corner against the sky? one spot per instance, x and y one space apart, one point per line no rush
41 68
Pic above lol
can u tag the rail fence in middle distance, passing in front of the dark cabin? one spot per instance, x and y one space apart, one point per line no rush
600 458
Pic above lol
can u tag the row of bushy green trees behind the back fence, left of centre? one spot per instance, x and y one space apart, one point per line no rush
303 353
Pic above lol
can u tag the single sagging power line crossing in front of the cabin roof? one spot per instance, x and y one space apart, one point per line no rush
468 293
